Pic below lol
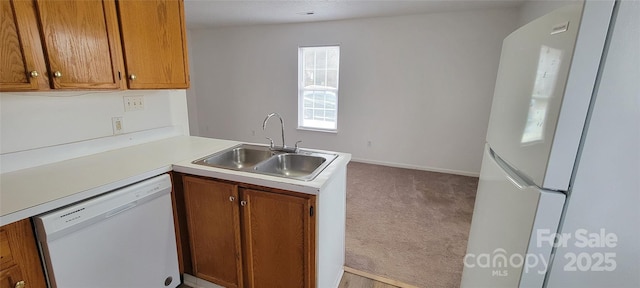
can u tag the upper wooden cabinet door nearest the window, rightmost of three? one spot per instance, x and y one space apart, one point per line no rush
154 42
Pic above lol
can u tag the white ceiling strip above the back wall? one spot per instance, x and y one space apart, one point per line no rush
202 14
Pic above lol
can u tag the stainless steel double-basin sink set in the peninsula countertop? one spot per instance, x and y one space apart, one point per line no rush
302 165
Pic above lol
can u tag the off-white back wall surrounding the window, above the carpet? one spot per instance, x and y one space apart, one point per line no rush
418 87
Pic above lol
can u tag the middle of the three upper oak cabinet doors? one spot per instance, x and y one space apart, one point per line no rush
82 43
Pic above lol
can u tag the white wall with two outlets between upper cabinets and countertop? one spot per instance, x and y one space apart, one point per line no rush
42 127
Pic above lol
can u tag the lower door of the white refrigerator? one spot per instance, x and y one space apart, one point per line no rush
512 229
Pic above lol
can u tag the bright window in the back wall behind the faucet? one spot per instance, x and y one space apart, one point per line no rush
318 87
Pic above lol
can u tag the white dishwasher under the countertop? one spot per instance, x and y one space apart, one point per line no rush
123 238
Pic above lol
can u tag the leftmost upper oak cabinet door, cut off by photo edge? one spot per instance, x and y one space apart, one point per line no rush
21 56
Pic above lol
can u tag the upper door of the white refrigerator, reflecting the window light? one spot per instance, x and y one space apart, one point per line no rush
539 75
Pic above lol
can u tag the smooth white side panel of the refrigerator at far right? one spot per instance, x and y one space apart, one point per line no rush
606 190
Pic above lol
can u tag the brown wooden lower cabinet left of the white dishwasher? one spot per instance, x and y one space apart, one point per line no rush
19 260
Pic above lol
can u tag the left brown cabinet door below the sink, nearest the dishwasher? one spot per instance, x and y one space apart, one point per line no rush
213 223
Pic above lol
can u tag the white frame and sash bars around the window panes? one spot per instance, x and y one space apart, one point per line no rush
302 90
